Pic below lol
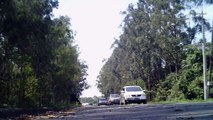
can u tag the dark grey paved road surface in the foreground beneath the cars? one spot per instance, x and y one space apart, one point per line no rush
195 111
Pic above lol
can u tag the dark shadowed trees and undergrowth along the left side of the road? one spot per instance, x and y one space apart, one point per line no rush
39 63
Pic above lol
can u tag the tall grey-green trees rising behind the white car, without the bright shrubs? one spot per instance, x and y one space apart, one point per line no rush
150 47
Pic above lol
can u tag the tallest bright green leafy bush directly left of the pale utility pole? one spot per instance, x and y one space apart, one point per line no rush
191 74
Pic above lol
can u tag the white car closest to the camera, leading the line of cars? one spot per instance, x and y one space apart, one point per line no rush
132 94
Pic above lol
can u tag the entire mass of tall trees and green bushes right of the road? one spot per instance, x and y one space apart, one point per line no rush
159 51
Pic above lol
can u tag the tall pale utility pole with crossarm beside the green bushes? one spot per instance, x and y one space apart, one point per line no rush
204 60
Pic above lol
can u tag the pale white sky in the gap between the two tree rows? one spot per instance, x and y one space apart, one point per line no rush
96 23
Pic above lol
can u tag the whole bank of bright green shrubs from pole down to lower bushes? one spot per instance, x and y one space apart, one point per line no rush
189 85
